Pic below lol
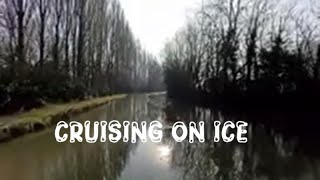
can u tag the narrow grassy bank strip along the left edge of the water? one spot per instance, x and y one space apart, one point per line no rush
39 119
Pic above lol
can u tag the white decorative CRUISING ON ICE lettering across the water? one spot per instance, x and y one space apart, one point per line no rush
114 131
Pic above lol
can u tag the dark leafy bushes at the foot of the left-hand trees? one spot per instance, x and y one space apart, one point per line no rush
34 88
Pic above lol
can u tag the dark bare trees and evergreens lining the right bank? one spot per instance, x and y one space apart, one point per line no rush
246 52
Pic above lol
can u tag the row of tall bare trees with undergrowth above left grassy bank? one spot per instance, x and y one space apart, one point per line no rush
59 50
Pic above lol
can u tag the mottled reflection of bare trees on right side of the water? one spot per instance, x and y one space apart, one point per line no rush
265 156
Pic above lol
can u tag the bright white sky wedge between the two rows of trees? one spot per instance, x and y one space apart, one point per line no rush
155 21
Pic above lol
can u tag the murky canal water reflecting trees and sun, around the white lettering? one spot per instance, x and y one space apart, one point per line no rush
267 155
